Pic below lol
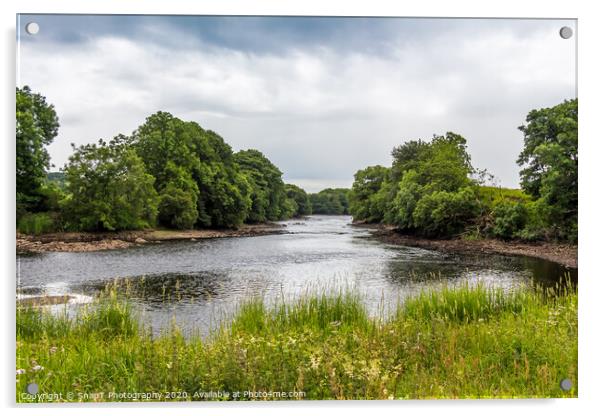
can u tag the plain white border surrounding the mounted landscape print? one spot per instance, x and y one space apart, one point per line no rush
590 347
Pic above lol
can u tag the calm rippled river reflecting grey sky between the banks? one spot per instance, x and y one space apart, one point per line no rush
199 283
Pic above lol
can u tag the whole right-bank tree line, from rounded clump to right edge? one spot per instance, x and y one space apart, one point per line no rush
432 189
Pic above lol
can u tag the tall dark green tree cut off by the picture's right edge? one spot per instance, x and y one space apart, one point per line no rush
550 165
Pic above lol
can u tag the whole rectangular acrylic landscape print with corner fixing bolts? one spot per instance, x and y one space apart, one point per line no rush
295 208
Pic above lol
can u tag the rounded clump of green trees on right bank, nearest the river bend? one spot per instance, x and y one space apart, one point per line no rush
428 189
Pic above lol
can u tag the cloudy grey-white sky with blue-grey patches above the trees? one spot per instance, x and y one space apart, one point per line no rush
320 97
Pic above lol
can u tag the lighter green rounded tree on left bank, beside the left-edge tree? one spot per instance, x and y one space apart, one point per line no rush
109 188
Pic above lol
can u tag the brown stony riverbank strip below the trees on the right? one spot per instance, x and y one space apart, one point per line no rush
564 254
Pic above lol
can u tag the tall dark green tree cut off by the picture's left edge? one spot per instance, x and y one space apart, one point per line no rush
36 127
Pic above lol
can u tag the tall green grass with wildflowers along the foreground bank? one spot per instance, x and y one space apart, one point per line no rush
452 343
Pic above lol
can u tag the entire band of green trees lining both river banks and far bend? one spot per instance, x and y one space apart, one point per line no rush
176 174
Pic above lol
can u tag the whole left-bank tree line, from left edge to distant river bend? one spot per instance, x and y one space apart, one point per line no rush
168 172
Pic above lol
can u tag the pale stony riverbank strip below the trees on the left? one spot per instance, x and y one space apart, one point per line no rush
88 241
